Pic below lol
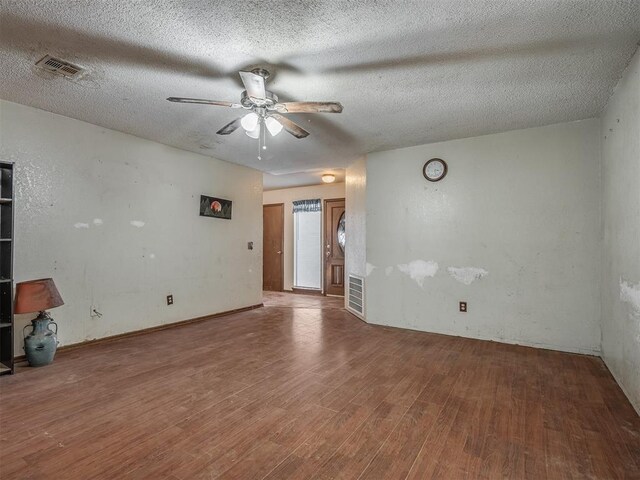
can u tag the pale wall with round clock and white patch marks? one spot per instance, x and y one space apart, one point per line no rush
524 206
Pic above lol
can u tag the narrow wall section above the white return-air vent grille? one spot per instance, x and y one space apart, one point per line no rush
356 219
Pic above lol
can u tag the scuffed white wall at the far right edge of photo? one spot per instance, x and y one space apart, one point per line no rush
621 223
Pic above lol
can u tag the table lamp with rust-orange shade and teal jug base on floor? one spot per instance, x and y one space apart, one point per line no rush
37 296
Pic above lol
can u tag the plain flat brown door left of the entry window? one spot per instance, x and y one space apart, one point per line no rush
272 247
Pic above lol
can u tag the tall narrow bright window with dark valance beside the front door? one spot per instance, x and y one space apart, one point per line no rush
307 228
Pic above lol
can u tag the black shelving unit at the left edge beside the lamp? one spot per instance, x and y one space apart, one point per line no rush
6 268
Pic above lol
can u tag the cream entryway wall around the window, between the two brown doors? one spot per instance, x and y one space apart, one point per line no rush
287 196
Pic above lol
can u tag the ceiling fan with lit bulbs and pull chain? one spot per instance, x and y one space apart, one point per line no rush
264 108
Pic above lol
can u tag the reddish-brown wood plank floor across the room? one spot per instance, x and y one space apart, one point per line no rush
302 392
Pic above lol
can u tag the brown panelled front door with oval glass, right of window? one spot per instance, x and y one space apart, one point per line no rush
333 252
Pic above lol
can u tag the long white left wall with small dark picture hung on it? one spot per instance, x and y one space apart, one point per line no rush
80 186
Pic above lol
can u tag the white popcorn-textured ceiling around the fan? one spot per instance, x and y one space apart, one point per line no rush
406 72
